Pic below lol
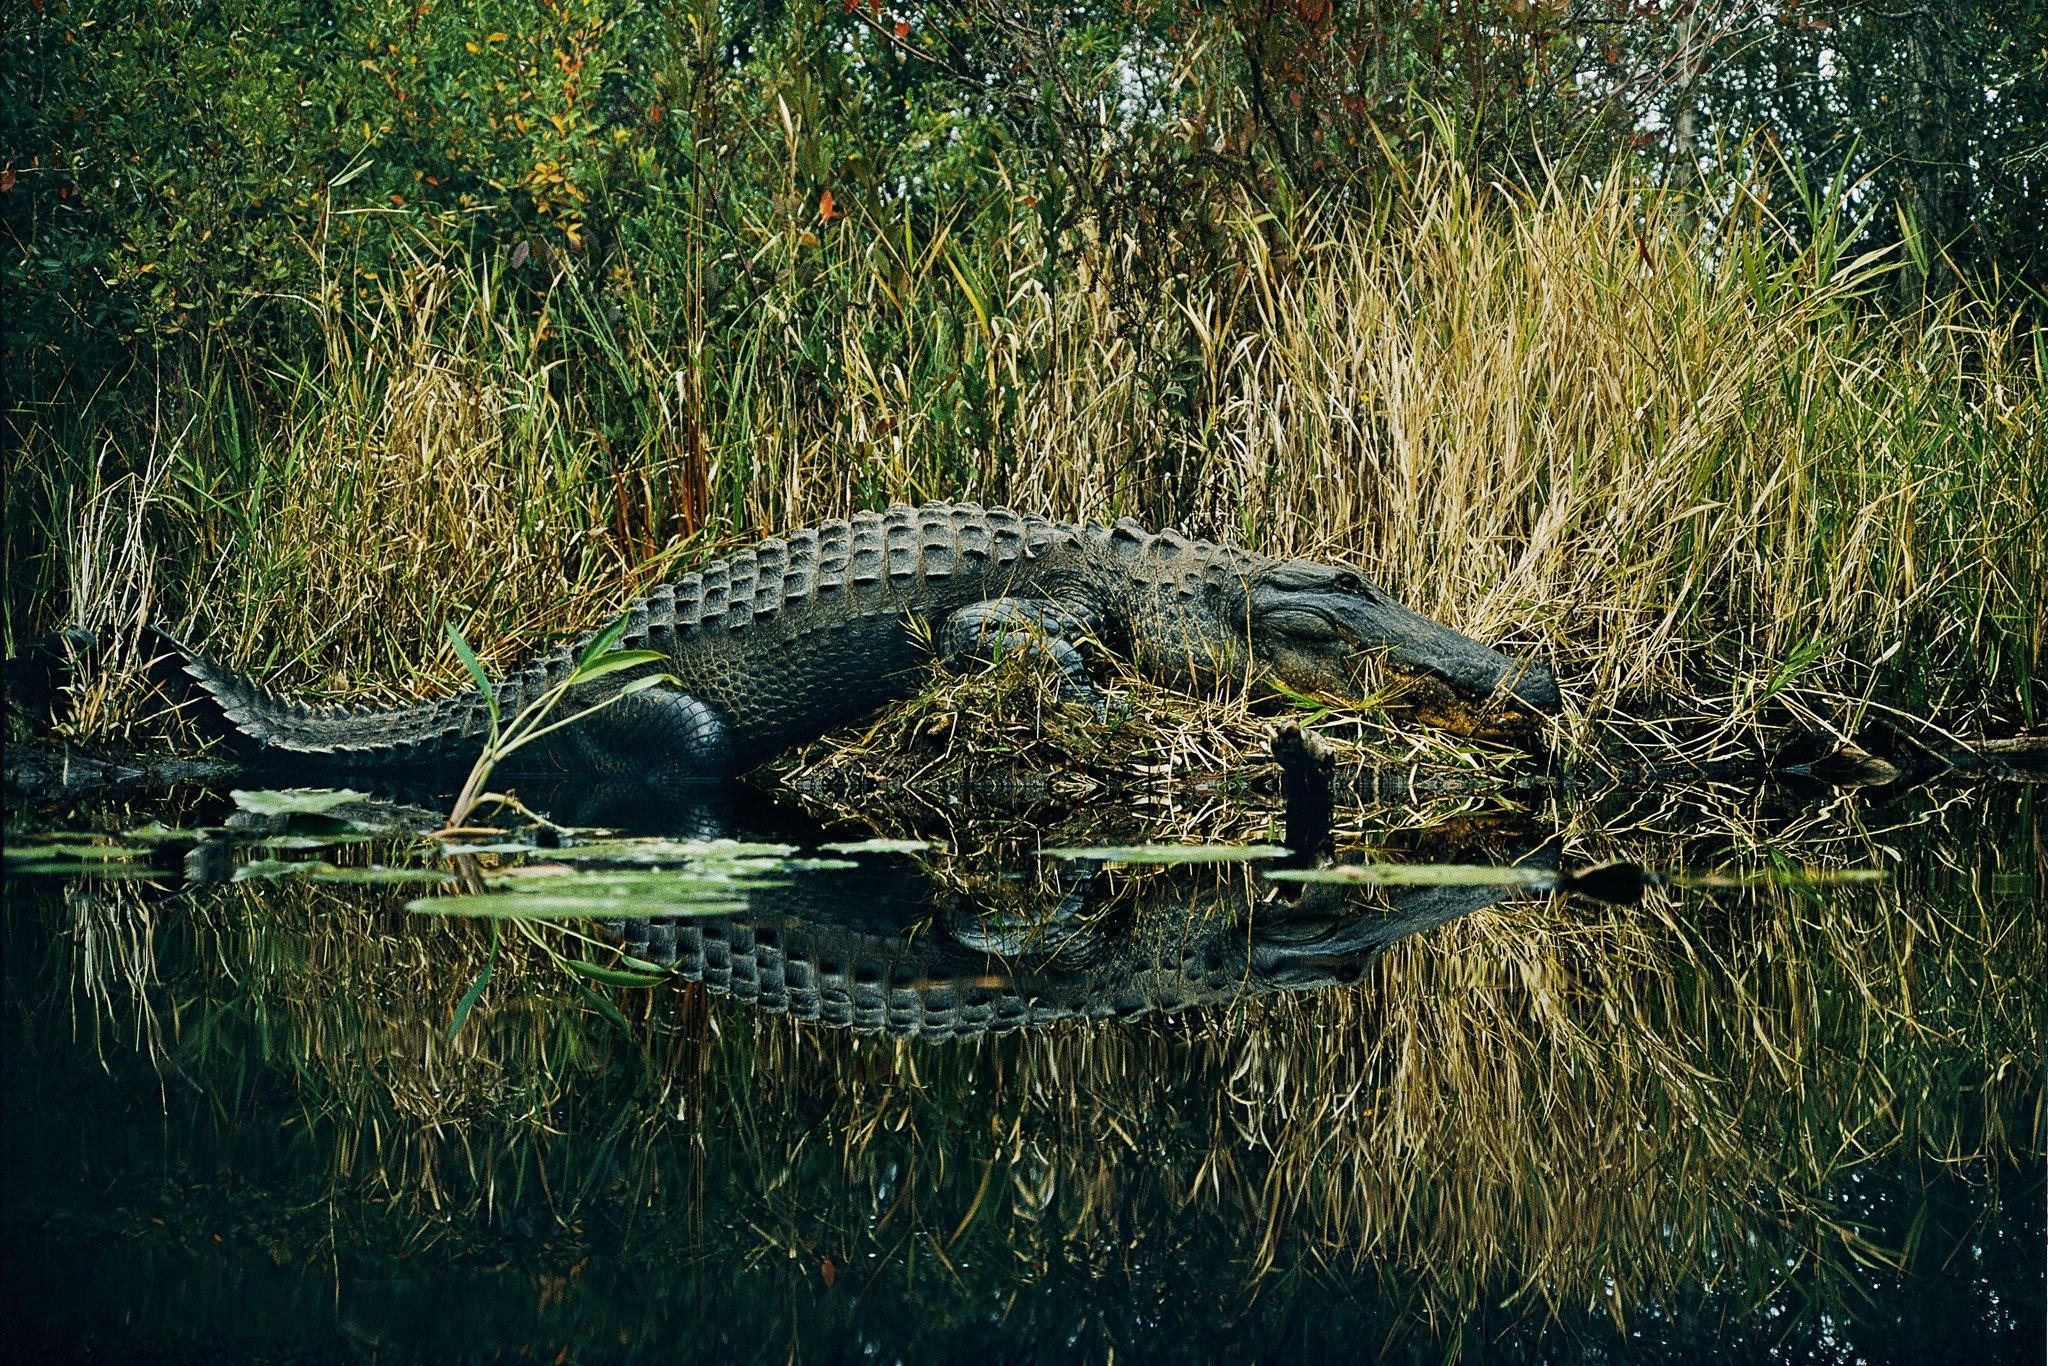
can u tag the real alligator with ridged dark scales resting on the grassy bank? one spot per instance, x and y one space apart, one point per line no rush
796 636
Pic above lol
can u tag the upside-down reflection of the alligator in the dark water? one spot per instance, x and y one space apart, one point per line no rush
957 972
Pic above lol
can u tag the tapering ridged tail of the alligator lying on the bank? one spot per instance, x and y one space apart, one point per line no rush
263 726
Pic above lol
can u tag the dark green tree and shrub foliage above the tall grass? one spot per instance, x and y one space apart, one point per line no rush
185 175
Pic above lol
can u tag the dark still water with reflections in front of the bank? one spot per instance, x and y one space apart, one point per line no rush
1770 1123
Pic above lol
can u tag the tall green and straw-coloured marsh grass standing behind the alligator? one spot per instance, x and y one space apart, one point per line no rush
1701 474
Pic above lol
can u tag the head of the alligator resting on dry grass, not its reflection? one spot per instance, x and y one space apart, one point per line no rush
1324 630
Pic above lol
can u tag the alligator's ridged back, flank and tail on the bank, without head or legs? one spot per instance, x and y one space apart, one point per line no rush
785 640
